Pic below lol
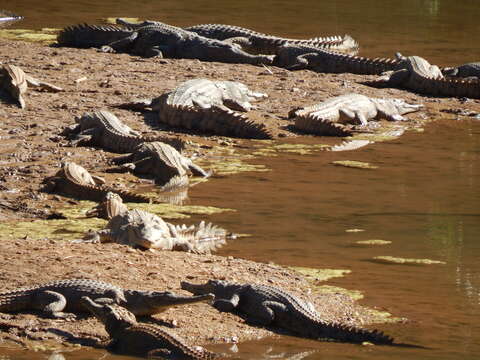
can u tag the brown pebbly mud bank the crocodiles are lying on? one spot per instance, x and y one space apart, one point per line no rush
32 149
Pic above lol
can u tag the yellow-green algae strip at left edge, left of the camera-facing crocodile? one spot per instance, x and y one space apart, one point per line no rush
64 229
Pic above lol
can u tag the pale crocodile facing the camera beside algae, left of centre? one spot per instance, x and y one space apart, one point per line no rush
145 230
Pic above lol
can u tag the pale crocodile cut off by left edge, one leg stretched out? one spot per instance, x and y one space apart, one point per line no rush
14 81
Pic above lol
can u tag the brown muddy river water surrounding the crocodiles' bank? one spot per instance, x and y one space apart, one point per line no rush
423 197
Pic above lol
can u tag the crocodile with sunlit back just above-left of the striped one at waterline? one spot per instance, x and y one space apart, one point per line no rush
105 130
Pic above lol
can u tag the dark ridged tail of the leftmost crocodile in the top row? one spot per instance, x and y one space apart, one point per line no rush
85 36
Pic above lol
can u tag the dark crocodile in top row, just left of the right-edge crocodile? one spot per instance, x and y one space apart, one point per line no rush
297 57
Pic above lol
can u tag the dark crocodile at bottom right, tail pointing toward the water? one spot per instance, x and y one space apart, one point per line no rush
270 306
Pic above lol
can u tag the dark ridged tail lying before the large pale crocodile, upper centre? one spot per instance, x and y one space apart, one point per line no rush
220 121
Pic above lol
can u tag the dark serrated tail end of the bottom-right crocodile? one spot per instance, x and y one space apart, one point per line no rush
353 334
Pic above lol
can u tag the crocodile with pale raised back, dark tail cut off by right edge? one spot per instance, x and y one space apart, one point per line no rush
418 75
